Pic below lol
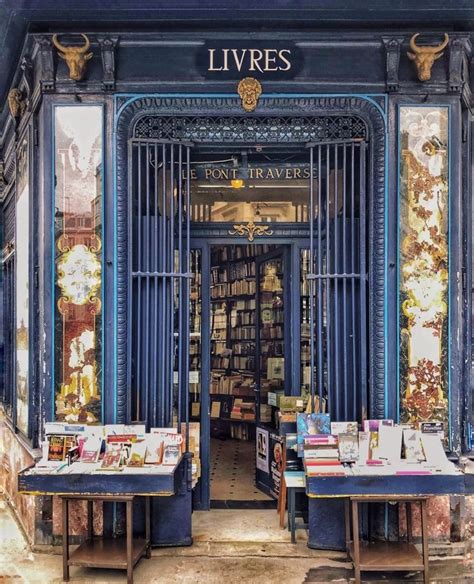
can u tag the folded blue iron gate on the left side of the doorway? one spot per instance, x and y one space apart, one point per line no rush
159 256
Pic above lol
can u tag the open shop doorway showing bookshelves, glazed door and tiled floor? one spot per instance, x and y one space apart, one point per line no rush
248 336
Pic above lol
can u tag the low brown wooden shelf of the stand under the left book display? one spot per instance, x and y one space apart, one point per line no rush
107 553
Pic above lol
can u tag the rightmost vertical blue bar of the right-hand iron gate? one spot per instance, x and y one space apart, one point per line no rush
363 280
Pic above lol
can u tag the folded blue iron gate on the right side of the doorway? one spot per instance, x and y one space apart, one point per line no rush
338 277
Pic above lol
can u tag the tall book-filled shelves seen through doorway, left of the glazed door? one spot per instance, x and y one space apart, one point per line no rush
233 341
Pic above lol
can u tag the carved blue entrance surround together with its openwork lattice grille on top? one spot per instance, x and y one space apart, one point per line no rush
276 119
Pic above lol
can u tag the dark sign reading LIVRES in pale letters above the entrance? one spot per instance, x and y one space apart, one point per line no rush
259 59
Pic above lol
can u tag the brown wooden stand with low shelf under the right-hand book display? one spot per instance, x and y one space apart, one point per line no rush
389 556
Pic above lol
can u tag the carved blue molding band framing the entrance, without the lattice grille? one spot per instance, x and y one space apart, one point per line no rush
305 106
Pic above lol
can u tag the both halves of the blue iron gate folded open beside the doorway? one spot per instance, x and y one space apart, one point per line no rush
159 278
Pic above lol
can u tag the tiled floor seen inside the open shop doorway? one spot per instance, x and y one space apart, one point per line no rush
233 471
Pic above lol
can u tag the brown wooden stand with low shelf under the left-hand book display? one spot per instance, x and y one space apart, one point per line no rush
100 552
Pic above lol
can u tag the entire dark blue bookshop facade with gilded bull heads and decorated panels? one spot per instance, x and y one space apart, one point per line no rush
212 232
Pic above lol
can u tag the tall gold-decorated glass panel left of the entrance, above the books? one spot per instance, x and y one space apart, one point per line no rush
78 264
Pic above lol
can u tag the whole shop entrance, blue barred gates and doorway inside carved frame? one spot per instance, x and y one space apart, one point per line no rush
248 282
